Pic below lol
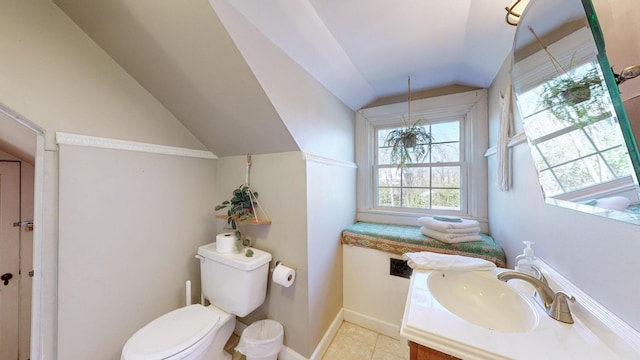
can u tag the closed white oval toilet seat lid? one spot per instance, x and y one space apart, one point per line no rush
171 333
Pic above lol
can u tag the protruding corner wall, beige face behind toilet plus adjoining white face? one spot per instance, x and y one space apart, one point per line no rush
309 203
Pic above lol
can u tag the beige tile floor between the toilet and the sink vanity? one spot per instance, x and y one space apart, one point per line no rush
352 342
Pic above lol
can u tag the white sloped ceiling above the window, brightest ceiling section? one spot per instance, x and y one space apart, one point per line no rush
365 50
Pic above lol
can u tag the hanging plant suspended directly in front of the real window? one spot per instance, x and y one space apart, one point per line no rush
410 138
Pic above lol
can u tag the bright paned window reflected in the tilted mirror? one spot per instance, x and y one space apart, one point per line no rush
572 156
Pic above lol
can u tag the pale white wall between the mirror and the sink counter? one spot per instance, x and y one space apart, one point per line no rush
597 254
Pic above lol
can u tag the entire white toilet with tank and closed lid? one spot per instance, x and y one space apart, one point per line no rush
234 285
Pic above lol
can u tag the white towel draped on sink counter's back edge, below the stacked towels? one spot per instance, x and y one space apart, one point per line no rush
434 261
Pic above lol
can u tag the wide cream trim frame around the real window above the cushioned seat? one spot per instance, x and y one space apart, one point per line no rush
472 107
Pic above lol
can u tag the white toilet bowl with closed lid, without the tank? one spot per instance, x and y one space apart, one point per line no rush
193 332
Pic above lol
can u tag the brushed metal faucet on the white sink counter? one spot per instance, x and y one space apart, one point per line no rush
554 304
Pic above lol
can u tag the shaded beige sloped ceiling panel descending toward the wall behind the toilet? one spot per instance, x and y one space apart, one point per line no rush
180 52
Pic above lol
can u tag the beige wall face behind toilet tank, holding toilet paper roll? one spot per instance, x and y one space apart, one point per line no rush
280 182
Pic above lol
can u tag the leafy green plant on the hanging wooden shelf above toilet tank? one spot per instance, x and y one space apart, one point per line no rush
241 208
